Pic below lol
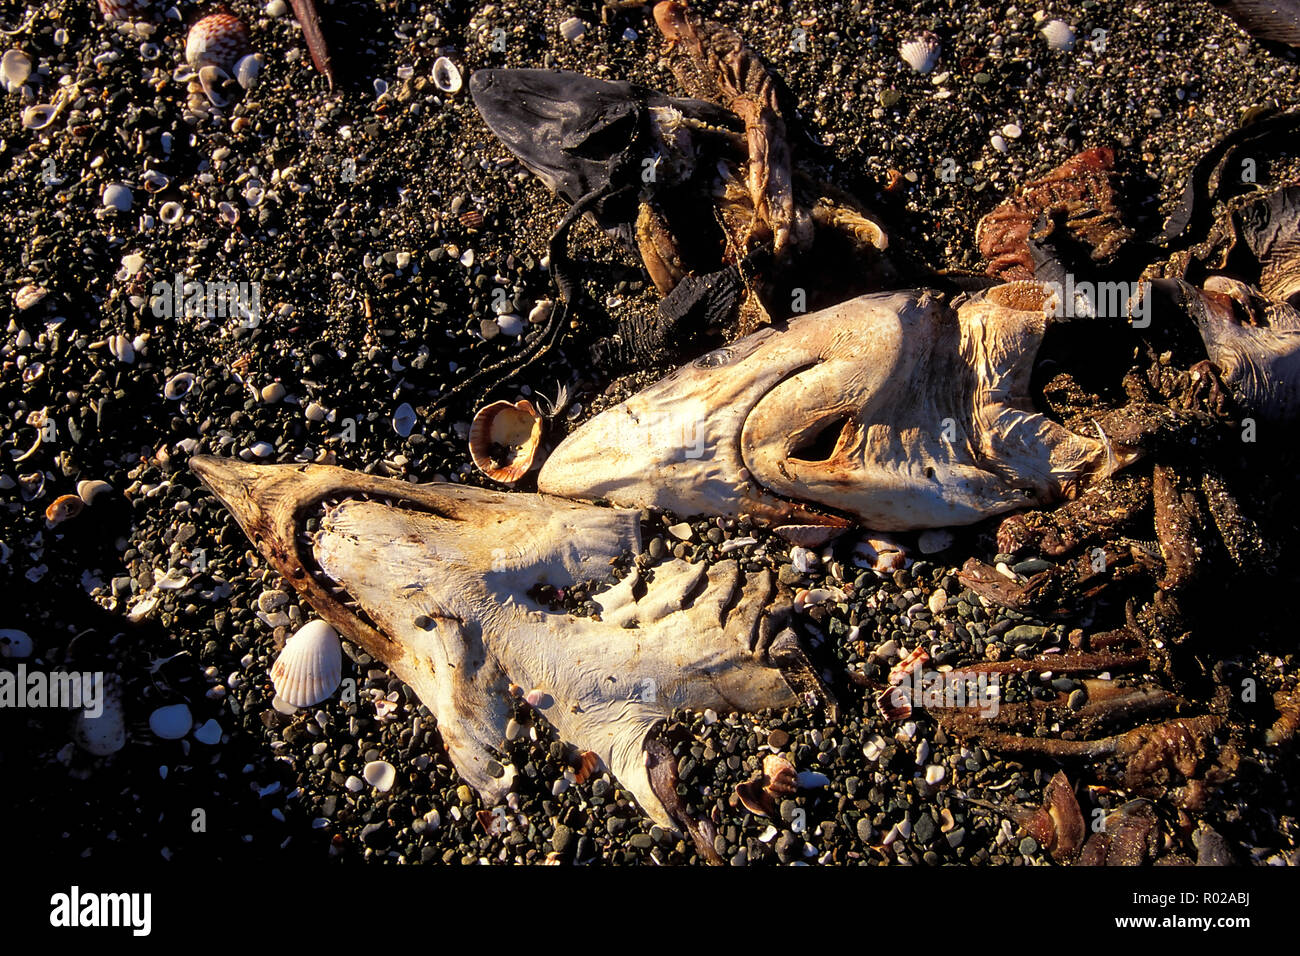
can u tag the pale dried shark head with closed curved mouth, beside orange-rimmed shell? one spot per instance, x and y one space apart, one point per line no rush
892 412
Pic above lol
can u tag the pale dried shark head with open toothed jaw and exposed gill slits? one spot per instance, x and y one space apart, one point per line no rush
434 581
